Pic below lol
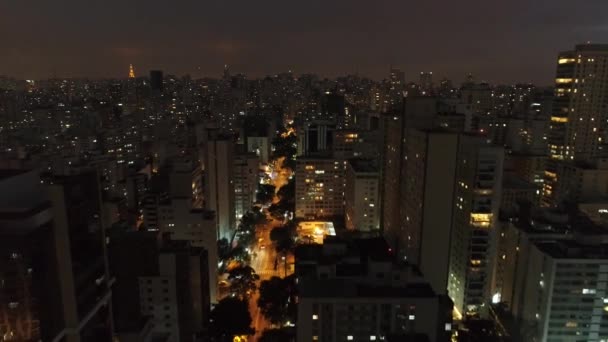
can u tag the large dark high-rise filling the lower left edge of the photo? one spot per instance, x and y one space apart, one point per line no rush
55 280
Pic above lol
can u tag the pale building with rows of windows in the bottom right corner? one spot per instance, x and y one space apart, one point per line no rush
563 294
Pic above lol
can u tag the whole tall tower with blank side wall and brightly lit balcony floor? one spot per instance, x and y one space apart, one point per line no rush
459 176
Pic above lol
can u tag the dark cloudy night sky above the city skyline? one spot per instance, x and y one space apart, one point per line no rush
499 41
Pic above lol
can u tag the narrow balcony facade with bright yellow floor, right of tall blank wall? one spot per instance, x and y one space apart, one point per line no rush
473 237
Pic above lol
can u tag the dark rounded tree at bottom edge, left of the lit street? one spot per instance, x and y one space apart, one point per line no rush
229 318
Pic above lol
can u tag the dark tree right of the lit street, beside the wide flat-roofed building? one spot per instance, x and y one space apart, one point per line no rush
273 300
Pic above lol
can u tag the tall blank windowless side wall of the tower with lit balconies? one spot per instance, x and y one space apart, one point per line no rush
429 216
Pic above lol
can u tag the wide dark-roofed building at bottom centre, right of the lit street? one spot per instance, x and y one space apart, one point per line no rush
355 291
